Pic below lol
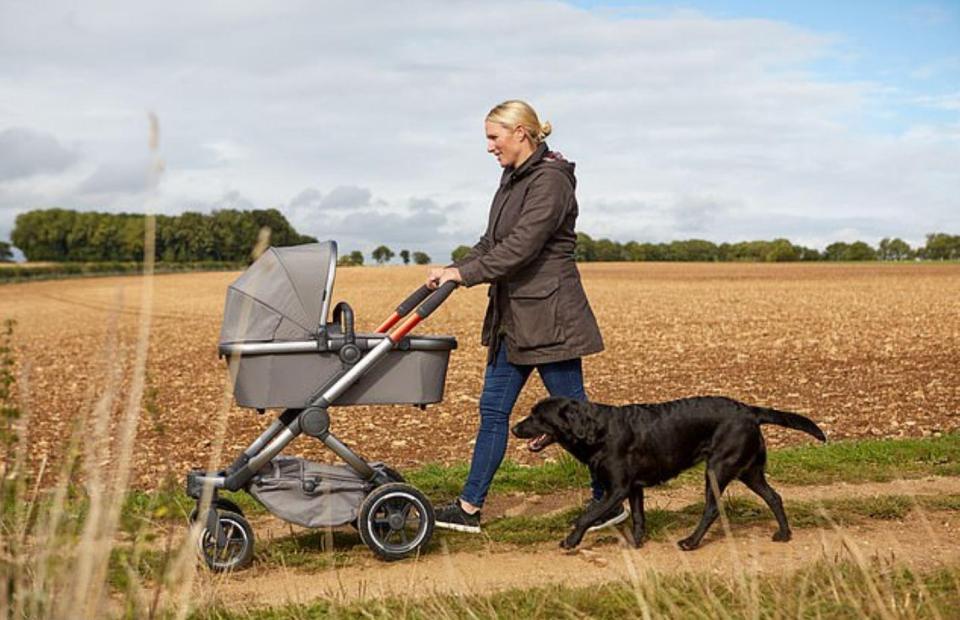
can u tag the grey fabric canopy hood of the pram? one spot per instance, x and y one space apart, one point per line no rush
282 296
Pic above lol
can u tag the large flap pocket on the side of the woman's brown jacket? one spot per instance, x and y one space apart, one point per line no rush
535 306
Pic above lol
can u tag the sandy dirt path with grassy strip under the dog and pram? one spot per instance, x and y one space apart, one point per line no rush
922 540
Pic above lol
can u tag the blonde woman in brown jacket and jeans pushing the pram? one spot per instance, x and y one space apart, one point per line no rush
538 315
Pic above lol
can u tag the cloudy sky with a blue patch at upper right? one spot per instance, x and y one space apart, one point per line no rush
363 122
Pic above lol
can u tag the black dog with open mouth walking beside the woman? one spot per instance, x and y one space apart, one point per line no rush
635 446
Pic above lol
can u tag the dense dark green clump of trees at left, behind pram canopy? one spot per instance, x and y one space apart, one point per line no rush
227 235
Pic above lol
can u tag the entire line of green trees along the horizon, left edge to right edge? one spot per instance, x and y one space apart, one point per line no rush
228 235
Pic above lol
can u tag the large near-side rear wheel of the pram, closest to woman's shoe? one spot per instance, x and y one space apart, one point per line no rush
396 520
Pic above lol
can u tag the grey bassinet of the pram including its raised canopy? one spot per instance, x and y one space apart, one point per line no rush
275 329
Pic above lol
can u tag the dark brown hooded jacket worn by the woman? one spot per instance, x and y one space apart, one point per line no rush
526 254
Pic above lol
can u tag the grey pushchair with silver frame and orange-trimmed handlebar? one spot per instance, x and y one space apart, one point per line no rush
282 353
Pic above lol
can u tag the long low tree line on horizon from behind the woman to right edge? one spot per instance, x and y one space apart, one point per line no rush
938 246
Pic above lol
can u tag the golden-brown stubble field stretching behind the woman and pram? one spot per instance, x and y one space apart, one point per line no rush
865 350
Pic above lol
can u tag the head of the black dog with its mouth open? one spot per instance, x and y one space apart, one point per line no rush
568 422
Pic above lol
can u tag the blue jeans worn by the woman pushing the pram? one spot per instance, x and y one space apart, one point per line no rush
501 387
